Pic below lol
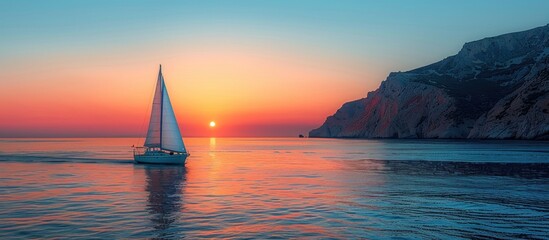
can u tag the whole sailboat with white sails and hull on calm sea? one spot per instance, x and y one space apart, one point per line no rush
164 144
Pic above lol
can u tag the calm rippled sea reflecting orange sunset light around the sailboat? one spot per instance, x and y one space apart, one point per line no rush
276 188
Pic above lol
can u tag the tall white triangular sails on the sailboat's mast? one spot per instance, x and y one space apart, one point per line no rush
163 130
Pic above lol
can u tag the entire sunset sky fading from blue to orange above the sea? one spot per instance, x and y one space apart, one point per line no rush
257 68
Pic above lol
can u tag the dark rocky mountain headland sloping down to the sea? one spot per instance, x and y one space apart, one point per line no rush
496 88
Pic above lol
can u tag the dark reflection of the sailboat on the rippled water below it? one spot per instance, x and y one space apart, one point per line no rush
164 184
